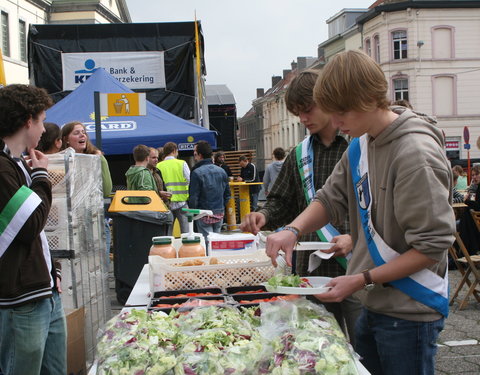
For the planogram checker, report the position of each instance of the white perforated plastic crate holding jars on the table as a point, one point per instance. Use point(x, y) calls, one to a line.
point(232, 270)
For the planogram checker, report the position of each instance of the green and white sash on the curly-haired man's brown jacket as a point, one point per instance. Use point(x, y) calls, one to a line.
point(15, 214)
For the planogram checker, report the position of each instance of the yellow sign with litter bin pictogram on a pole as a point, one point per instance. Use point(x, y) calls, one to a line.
point(123, 104)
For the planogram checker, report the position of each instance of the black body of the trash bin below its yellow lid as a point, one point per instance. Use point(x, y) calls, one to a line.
point(132, 238)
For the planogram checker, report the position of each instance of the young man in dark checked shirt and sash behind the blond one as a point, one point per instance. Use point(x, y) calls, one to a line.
point(292, 192)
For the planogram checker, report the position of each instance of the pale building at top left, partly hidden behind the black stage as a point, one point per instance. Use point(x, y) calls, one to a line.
point(17, 16)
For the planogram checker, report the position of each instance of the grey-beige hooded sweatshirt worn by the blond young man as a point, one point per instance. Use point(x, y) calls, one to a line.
point(411, 180)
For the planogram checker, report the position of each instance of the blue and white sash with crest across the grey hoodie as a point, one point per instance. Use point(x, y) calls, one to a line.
point(423, 286)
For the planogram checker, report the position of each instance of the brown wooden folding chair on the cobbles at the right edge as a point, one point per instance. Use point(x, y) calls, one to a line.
point(467, 265)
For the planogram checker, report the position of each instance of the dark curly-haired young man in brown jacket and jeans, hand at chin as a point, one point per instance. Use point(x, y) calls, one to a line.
point(32, 321)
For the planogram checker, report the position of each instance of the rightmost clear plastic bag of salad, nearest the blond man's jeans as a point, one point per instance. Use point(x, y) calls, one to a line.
point(305, 338)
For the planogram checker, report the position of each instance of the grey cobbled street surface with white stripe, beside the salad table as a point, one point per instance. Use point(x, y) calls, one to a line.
point(459, 343)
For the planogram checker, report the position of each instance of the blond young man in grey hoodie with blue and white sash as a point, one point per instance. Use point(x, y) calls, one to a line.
point(401, 232)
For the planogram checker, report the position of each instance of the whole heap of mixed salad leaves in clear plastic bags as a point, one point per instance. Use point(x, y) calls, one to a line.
point(278, 338)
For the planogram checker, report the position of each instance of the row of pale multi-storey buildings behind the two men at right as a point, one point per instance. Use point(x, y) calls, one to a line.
point(430, 53)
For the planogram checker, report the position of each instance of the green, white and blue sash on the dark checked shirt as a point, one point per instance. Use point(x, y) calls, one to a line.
point(304, 157)
